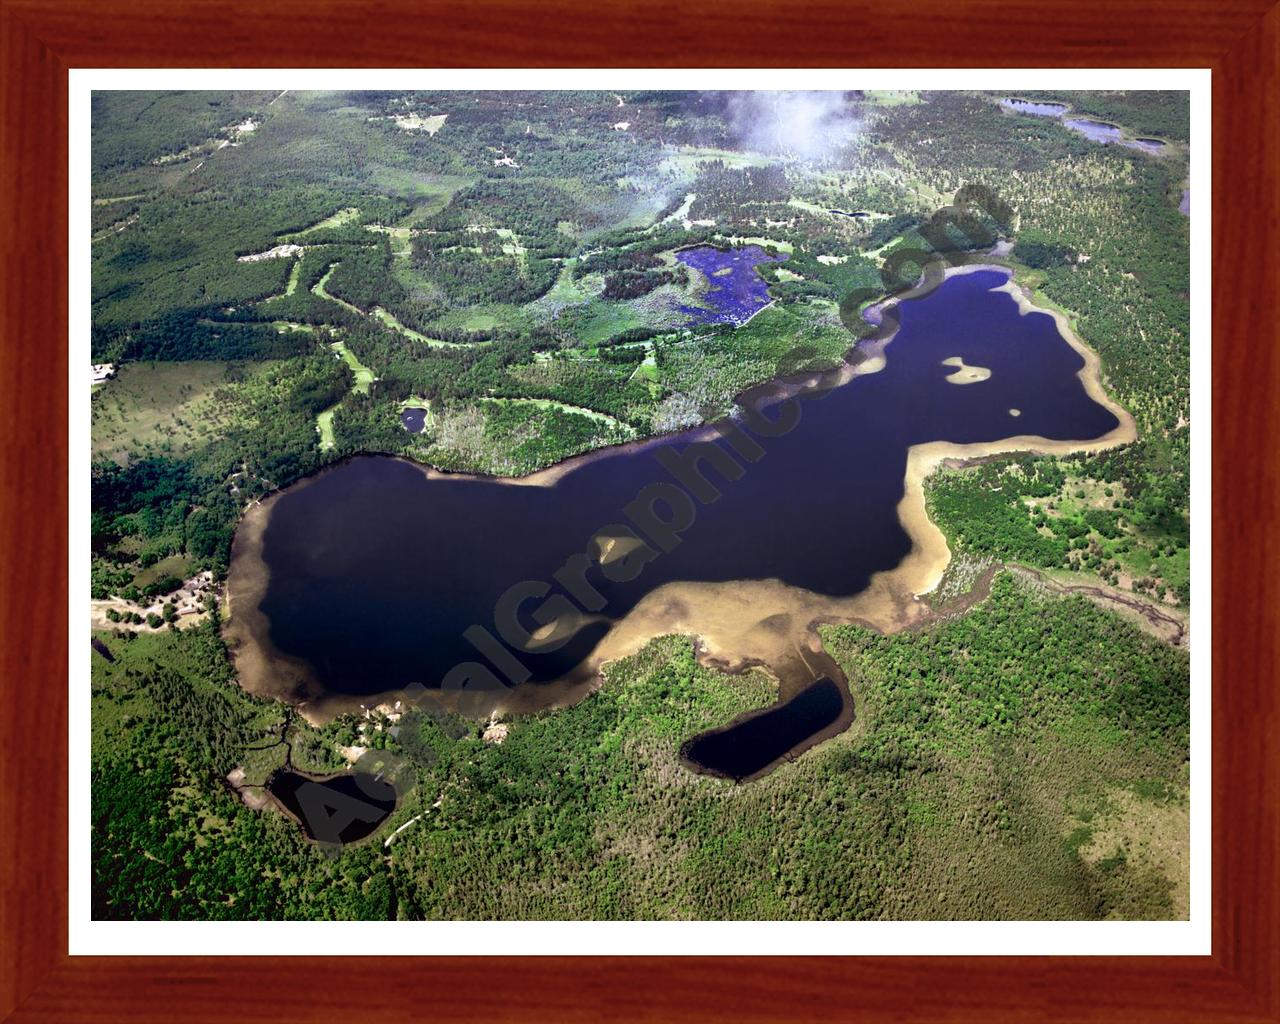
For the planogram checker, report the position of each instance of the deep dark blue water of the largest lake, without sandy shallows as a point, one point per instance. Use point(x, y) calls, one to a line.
point(377, 570)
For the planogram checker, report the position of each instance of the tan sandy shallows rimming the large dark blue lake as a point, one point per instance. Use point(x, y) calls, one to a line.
point(739, 624)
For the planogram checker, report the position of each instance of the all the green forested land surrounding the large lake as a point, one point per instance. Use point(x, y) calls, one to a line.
point(276, 276)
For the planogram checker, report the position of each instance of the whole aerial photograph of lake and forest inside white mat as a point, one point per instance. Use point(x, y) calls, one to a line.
point(641, 505)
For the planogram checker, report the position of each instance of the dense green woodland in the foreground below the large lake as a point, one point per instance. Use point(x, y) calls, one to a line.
point(986, 778)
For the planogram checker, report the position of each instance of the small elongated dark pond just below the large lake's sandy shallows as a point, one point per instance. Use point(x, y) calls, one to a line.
point(755, 744)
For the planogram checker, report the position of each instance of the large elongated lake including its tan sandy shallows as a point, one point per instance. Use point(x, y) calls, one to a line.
point(377, 574)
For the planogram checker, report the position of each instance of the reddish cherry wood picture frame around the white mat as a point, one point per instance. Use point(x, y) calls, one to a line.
point(42, 39)
